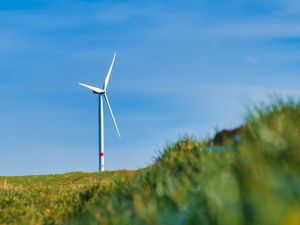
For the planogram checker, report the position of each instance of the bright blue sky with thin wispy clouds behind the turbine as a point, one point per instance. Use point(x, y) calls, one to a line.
point(183, 67)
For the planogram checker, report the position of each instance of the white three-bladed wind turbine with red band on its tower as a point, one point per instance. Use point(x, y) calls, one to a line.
point(102, 94)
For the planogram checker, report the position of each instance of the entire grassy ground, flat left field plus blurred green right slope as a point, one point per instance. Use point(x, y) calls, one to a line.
point(253, 181)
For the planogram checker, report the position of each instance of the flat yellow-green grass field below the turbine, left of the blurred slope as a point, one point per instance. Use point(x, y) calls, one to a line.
point(49, 199)
